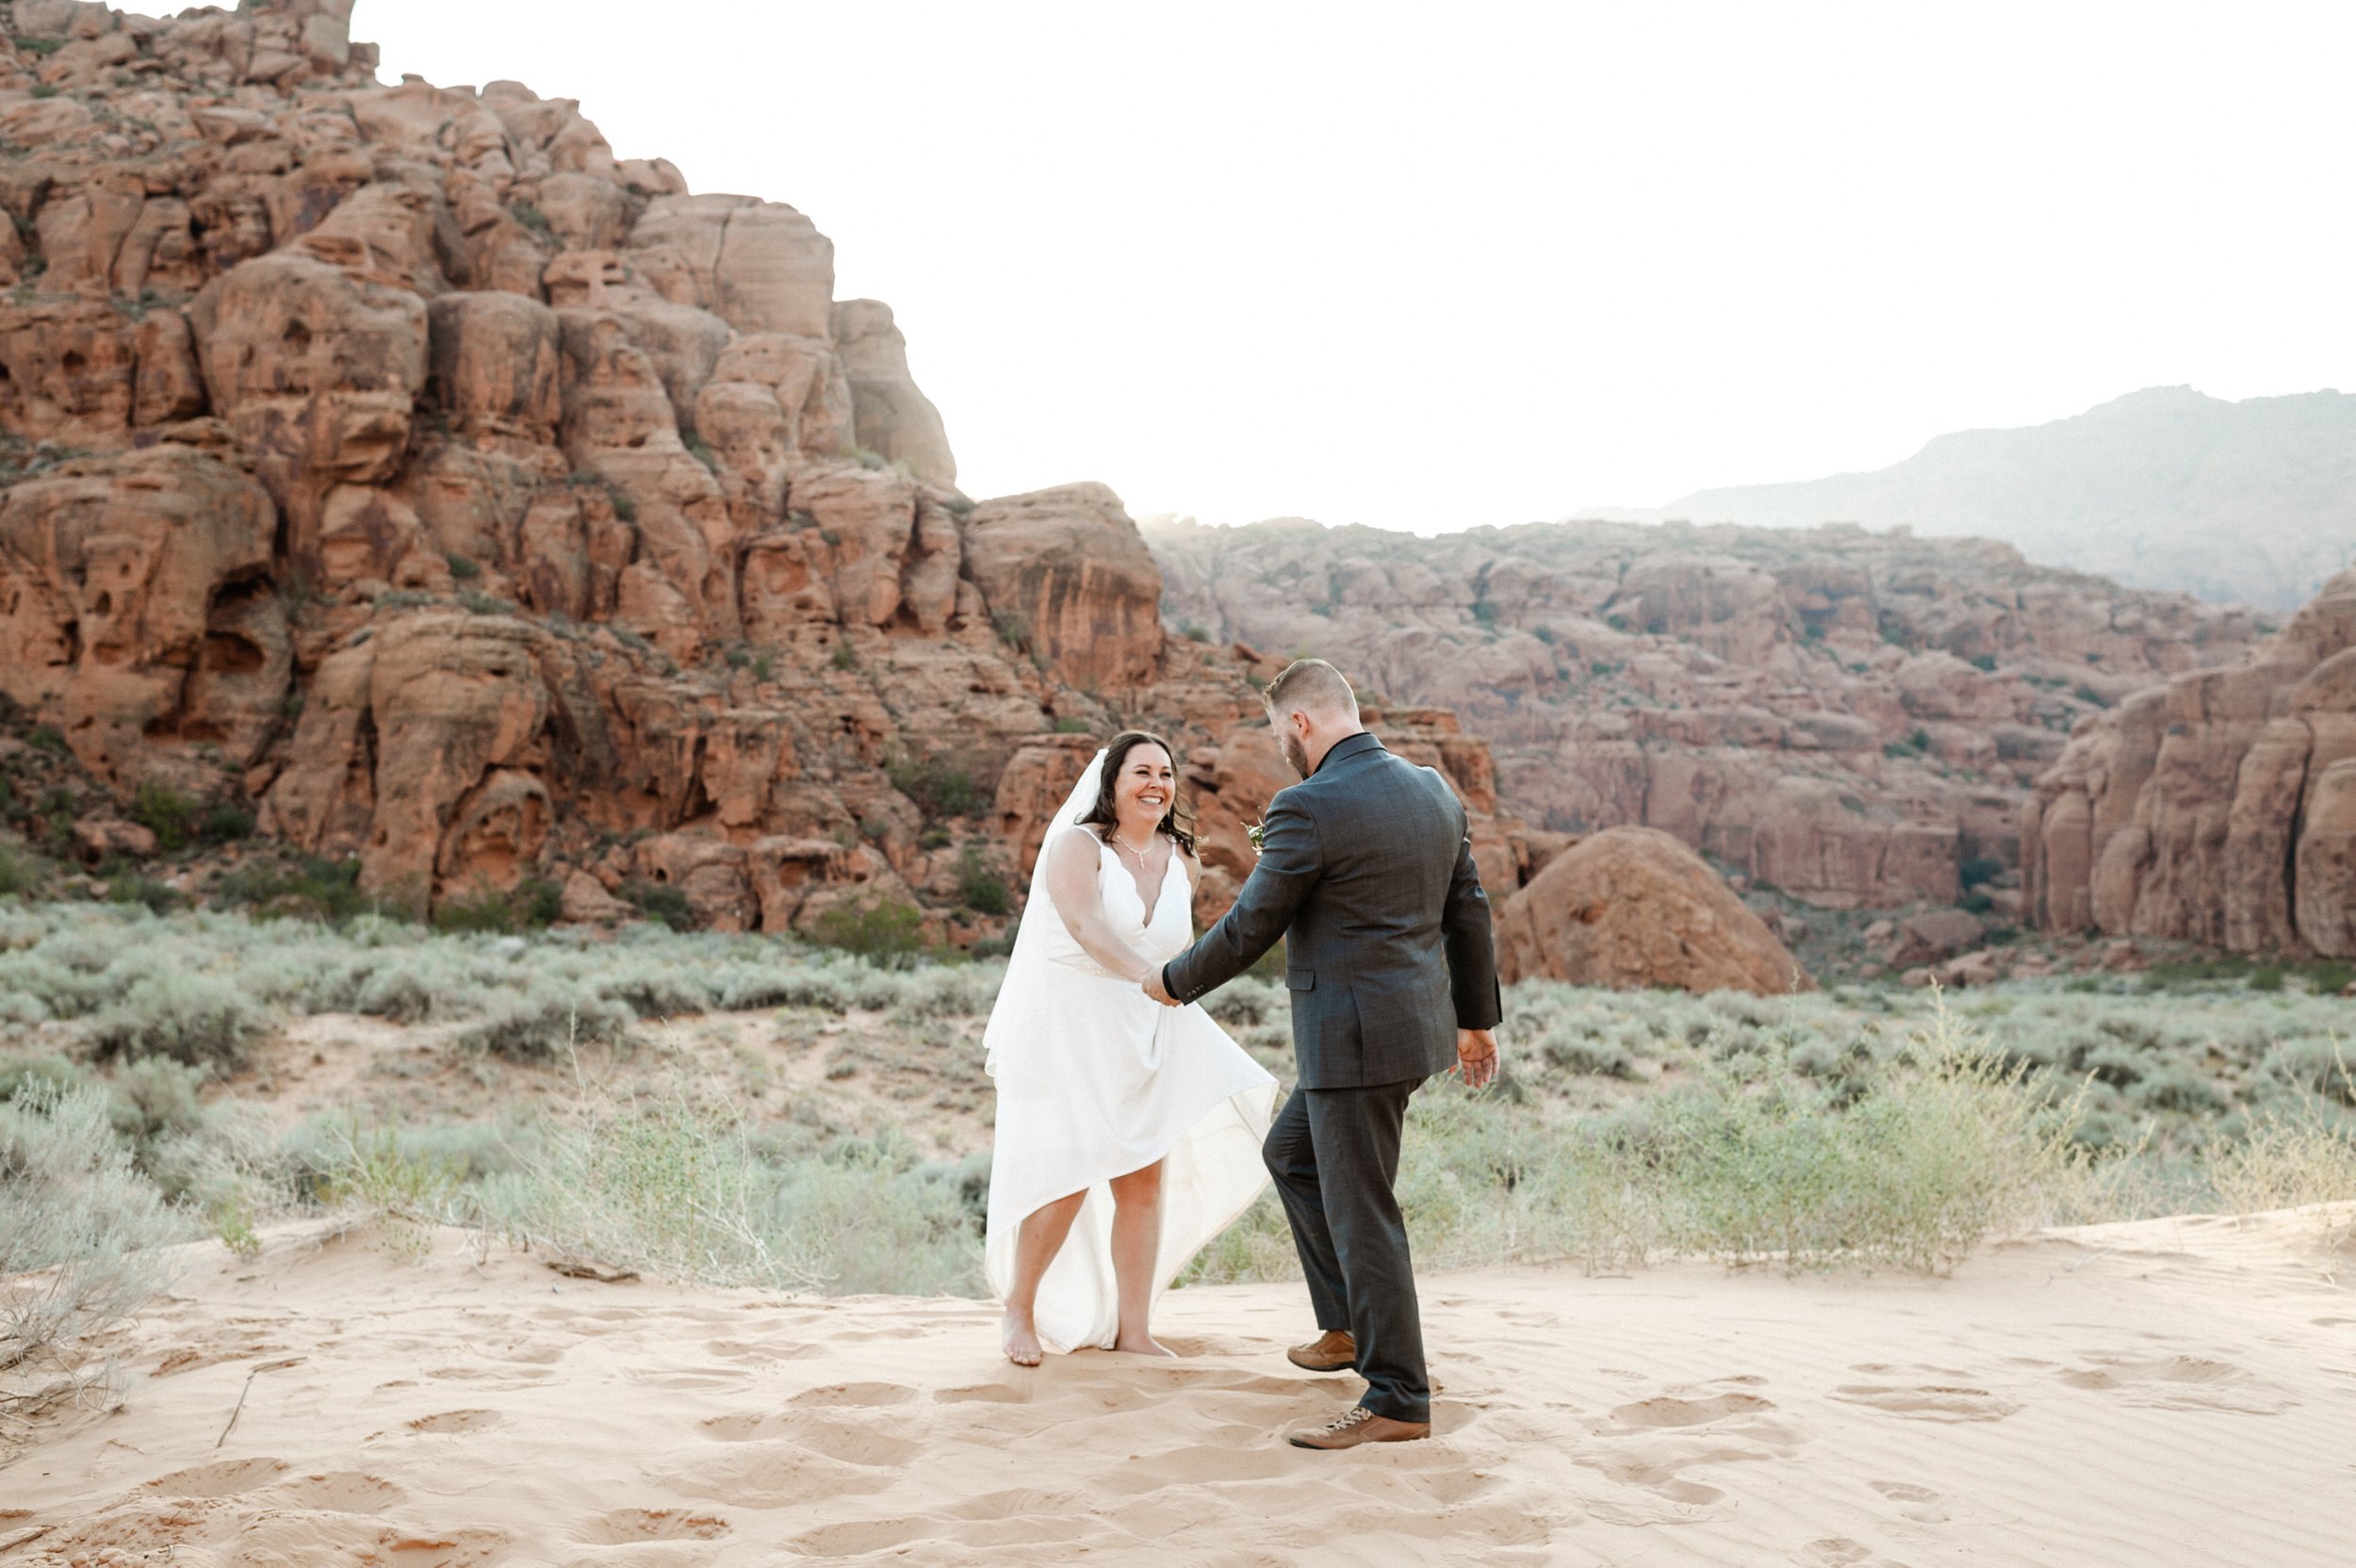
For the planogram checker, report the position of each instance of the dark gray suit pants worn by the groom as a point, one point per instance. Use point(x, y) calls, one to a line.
point(1337, 1157)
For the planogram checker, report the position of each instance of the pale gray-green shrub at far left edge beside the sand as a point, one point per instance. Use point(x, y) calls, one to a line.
point(74, 1209)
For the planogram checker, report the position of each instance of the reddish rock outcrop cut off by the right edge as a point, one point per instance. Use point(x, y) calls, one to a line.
point(2216, 809)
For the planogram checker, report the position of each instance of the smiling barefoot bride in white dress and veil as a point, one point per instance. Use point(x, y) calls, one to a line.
point(1130, 1134)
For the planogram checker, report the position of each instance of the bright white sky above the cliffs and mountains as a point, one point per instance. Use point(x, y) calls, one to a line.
point(1431, 267)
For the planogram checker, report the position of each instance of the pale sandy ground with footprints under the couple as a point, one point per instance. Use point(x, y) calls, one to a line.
point(2162, 1393)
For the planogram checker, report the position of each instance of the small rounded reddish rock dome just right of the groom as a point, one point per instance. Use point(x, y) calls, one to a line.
point(1636, 910)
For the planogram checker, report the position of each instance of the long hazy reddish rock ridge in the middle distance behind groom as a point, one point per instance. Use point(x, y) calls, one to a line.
point(1848, 717)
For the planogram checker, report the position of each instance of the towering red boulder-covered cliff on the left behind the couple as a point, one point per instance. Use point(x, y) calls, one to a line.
point(501, 512)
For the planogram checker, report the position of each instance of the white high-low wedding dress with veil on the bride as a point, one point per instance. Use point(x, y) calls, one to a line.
point(1097, 1079)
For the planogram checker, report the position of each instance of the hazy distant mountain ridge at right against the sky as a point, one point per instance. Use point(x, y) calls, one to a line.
point(2164, 489)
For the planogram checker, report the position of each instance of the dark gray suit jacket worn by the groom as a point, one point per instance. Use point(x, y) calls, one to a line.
point(1368, 872)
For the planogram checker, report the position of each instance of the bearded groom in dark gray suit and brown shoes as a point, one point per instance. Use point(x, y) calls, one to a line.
point(1368, 875)
